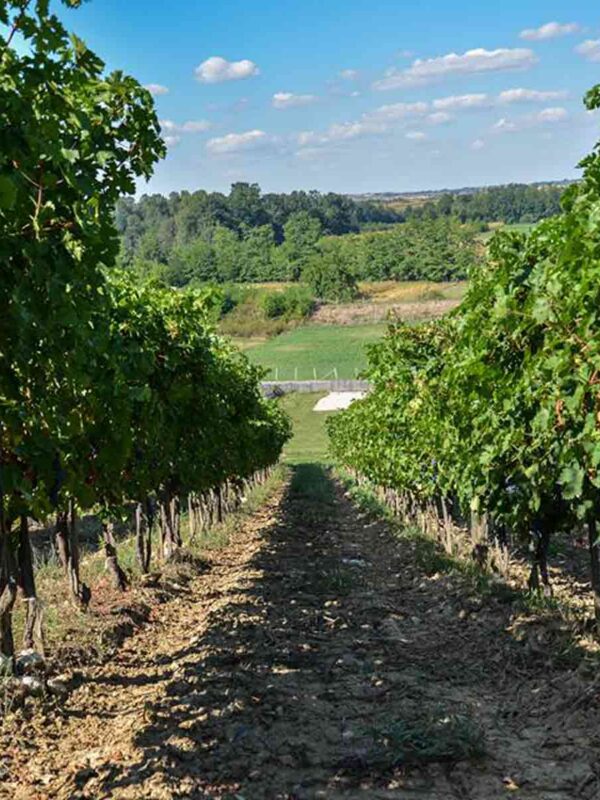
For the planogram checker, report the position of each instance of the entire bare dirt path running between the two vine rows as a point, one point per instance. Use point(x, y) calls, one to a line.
point(312, 655)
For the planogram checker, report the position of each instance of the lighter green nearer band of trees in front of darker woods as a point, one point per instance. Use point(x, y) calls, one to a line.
point(432, 249)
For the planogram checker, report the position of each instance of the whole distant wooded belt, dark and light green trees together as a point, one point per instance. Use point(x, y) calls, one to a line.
point(249, 237)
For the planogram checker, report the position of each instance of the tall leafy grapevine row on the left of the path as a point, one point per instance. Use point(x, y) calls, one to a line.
point(112, 392)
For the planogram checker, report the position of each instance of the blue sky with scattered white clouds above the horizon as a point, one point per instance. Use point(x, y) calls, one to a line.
point(360, 95)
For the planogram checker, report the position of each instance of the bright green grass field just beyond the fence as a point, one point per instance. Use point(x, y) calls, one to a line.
point(317, 351)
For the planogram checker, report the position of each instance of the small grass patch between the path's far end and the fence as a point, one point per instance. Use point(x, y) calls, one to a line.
point(310, 441)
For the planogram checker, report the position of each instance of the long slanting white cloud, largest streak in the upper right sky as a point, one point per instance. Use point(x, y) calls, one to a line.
point(473, 61)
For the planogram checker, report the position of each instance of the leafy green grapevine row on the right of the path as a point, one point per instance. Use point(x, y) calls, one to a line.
point(493, 414)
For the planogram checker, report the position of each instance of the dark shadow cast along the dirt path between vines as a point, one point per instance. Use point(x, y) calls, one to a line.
point(321, 644)
